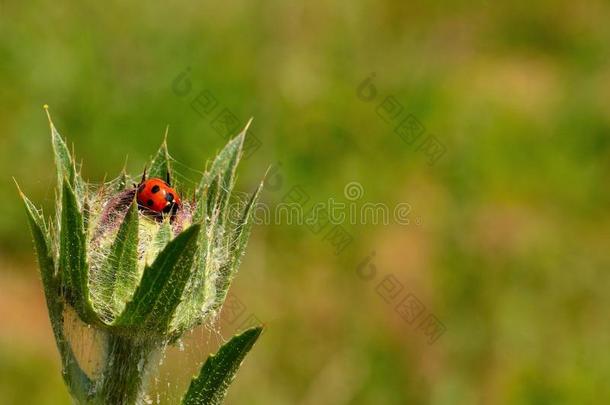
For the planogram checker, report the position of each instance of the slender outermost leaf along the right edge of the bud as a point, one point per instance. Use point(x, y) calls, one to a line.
point(238, 241)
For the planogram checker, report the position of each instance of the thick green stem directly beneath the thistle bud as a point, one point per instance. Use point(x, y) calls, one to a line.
point(124, 377)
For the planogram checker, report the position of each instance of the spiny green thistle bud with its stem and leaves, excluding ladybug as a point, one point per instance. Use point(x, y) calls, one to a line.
point(141, 281)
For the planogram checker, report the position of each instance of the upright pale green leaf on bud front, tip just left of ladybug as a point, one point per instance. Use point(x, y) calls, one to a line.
point(120, 269)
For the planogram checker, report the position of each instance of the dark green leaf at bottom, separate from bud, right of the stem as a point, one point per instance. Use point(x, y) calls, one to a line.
point(210, 387)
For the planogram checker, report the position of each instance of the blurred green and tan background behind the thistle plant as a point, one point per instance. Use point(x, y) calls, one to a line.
point(509, 240)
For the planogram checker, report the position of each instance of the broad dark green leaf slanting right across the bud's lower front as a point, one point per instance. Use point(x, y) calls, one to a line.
point(160, 290)
